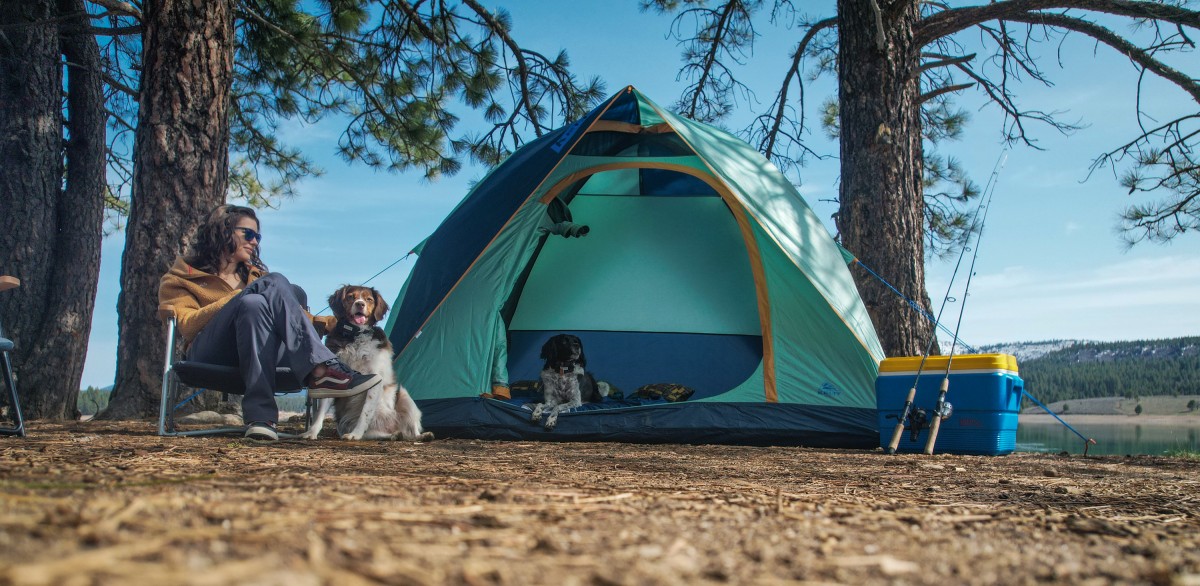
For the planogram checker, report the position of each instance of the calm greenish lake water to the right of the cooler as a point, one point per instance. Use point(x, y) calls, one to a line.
point(1112, 439)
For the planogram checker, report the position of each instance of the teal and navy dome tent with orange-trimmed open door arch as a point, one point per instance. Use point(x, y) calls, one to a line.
point(701, 267)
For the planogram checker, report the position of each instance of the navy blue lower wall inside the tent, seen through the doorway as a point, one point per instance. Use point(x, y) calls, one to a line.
point(709, 363)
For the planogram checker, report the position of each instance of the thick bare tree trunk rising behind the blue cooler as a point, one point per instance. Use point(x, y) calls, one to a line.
point(883, 207)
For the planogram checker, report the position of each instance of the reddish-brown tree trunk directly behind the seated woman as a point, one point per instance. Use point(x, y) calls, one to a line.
point(181, 172)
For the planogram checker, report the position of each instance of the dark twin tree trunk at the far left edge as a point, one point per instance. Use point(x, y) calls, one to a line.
point(50, 235)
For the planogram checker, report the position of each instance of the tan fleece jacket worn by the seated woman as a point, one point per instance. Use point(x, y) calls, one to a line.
point(199, 296)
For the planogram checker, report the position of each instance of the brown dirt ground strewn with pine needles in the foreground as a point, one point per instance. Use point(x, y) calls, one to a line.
point(115, 504)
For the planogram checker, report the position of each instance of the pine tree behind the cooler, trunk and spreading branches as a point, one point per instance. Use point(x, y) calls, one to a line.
point(898, 65)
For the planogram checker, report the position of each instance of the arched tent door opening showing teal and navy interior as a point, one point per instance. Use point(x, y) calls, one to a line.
point(659, 291)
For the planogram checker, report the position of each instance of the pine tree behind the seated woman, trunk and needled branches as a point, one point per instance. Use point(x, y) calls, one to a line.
point(235, 69)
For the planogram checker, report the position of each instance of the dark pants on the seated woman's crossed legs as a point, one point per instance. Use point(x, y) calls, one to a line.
point(262, 328)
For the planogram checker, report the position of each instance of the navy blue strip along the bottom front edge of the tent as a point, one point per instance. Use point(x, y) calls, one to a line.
point(740, 424)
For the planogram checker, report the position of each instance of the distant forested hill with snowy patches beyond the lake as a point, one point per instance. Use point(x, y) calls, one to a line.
point(1060, 370)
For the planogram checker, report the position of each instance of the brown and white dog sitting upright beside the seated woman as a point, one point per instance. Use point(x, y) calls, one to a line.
point(386, 412)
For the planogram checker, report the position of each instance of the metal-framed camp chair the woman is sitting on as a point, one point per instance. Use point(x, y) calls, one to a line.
point(203, 376)
